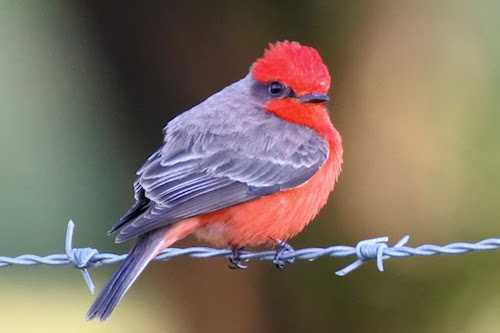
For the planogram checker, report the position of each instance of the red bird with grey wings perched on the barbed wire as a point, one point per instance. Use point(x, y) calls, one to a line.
point(251, 165)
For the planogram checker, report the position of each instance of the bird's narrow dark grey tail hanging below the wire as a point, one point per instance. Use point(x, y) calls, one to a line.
point(142, 253)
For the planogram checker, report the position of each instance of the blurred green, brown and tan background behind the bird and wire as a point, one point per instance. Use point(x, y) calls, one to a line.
point(86, 87)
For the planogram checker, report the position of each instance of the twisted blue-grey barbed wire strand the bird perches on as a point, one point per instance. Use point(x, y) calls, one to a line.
point(366, 250)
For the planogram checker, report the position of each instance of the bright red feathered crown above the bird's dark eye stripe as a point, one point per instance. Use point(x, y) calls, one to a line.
point(299, 67)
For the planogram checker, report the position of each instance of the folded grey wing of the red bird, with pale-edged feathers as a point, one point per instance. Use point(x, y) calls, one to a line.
point(207, 164)
